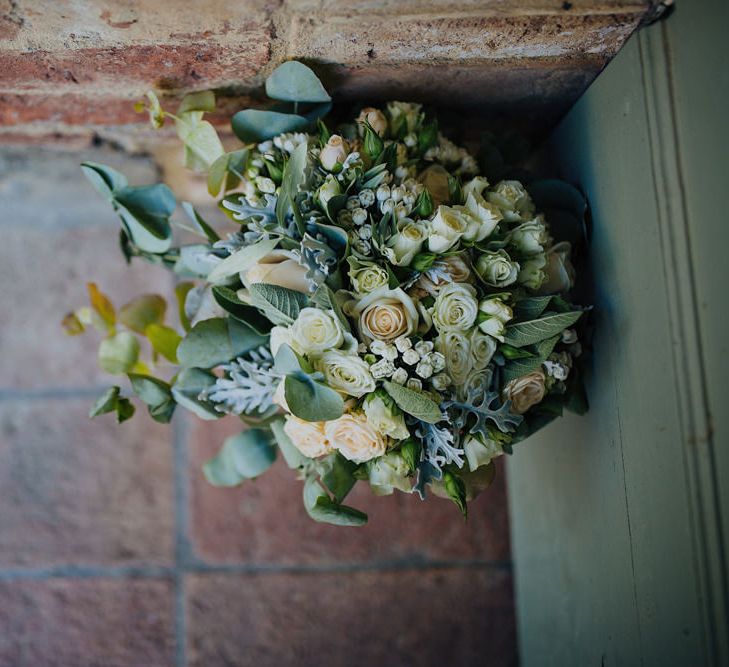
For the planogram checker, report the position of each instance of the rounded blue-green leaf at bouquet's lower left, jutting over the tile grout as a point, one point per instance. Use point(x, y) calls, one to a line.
point(243, 456)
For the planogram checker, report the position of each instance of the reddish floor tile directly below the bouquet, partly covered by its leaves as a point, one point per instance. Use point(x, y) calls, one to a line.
point(264, 521)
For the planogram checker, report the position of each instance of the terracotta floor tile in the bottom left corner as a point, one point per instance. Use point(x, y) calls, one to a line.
point(69, 623)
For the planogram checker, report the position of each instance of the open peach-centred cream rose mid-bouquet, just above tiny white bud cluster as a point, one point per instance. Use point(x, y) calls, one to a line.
point(384, 314)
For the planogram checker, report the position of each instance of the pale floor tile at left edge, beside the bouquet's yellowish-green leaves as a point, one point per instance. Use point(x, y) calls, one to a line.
point(55, 239)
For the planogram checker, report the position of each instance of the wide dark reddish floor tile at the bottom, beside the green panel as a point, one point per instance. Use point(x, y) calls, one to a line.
point(448, 617)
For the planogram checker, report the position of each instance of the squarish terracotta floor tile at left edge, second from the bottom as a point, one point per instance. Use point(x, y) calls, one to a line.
point(75, 491)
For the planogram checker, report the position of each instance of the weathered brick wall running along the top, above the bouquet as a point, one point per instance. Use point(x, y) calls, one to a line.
point(61, 68)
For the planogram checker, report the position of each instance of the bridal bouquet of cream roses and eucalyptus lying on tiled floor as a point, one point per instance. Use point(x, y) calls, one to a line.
point(381, 313)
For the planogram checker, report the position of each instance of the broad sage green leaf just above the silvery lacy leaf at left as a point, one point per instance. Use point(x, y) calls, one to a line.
point(216, 341)
